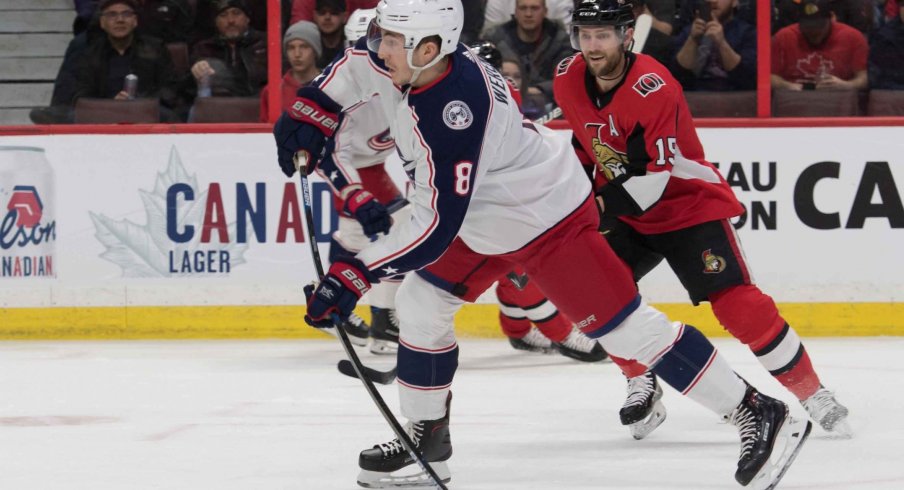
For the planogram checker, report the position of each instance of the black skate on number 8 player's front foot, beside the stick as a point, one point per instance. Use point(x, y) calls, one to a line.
point(430, 437)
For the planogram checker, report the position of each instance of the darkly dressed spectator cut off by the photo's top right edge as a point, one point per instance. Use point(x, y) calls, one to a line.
point(886, 54)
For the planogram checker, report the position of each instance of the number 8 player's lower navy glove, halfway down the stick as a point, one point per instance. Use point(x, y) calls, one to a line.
point(338, 293)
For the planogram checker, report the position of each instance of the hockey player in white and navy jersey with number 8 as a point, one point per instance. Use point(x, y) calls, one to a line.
point(492, 191)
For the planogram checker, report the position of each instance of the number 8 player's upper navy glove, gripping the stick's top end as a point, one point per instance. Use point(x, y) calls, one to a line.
point(304, 127)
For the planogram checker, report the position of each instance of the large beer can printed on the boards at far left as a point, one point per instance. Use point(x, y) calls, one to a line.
point(27, 218)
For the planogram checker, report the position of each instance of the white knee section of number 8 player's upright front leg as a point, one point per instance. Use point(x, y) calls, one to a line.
point(425, 314)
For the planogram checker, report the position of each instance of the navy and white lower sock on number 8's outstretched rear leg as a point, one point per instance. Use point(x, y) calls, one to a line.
point(695, 368)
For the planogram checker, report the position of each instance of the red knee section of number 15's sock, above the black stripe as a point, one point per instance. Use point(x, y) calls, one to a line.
point(748, 314)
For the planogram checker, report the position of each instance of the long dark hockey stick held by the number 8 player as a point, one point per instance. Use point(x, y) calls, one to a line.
point(301, 164)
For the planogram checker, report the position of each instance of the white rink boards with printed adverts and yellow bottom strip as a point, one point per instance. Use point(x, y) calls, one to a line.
point(199, 236)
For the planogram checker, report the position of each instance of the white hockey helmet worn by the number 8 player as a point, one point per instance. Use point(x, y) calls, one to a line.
point(416, 20)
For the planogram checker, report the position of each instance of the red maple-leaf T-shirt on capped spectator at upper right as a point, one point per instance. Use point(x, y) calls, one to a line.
point(843, 54)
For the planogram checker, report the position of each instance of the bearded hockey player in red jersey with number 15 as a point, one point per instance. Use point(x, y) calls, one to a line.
point(660, 198)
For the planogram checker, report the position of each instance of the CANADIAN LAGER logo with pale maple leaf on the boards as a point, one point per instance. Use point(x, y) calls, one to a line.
point(190, 230)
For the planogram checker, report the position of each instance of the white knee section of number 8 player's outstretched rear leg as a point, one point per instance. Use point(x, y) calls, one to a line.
point(643, 337)
